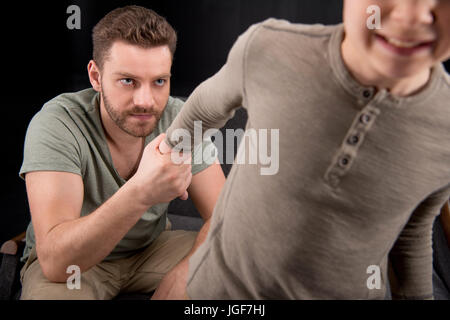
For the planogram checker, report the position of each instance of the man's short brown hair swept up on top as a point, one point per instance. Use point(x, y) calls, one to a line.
point(134, 25)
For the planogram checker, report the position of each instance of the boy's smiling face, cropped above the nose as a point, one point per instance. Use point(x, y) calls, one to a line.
point(414, 35)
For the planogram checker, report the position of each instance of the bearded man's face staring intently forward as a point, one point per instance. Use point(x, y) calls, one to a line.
point(135, 86)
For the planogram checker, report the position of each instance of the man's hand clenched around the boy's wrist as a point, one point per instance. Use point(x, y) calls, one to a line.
point(159, 178)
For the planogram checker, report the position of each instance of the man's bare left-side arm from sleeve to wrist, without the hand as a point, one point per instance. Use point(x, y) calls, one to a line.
point(63, 238)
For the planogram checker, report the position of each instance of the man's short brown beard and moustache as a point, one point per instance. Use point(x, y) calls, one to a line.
point(120, 119)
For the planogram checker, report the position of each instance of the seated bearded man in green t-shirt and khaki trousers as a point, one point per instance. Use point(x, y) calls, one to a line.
point(98, 187)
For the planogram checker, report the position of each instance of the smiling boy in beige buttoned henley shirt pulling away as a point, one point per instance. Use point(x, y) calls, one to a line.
point(364, 122)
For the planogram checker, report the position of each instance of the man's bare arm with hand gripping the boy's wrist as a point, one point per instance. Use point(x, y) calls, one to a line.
point(63, 238)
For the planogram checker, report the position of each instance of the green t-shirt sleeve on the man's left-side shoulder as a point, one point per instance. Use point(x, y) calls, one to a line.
point(50, 144)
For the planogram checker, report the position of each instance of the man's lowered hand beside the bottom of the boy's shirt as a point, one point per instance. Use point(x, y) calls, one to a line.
point(173, 285)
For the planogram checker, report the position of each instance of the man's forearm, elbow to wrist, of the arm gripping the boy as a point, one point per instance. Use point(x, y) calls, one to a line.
point(88, 240)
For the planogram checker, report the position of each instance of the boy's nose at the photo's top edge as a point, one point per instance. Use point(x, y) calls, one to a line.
point(412, 13)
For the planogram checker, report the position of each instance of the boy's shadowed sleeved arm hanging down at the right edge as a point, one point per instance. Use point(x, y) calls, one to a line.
point(411, 256)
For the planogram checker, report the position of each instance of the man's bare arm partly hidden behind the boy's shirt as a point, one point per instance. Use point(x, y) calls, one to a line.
point(204, 192)
